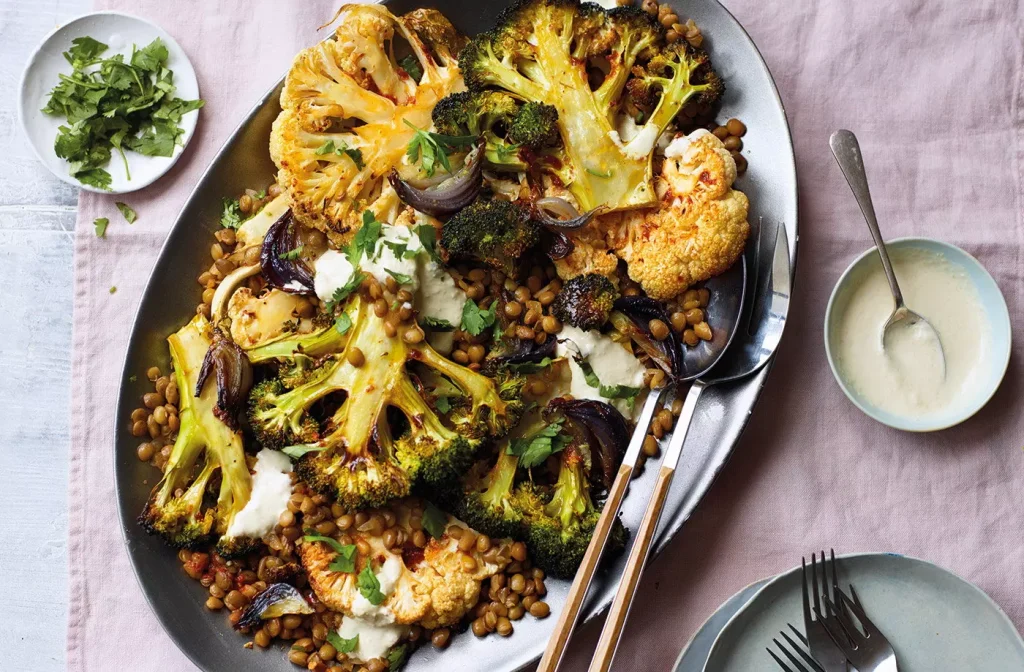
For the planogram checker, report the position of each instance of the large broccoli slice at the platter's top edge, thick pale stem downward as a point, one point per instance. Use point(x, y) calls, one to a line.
point(540, 52)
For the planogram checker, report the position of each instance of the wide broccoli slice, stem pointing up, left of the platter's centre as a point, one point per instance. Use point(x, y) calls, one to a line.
point(386, 438)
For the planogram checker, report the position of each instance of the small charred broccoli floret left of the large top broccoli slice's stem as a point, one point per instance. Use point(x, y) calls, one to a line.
point(510, 130)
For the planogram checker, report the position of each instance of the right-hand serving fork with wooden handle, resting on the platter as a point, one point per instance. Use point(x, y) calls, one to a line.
point(755, 344)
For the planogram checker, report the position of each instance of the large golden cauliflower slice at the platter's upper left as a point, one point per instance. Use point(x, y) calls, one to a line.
point(347, 110)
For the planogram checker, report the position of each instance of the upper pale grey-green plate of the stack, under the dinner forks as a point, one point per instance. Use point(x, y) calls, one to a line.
point(933, 619)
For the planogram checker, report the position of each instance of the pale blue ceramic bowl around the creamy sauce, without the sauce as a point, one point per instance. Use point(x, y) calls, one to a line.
point(993, 304)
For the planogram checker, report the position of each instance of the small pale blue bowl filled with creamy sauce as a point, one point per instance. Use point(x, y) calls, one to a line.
point(908, 390)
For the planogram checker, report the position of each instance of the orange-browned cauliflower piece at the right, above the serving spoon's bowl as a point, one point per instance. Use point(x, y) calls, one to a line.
point(701, 228)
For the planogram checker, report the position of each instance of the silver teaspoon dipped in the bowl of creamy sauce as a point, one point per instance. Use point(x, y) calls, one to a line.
point(906, 329)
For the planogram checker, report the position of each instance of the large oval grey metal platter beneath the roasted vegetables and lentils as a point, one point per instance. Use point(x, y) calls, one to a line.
point(168, 302)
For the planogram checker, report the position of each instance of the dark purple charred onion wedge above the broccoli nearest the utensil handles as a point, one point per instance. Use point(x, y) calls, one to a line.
point(610, 430)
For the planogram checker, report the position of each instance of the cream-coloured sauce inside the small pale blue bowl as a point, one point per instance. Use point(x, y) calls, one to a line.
point(907, 377)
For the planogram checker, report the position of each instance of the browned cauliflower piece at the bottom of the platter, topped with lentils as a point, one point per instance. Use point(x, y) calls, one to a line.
point(434, 590)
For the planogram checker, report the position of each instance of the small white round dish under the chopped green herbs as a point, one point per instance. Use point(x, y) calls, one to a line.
point(119, 32)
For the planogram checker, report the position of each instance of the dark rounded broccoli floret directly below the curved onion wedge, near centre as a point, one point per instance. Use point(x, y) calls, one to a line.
point(495, 232)
